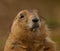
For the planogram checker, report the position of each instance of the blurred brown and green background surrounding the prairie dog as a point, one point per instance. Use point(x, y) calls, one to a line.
point(50, 9)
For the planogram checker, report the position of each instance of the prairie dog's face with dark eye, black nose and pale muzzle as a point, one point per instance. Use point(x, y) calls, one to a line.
point(29, 19)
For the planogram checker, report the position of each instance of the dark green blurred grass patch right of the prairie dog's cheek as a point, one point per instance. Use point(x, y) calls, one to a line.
point(53, 23)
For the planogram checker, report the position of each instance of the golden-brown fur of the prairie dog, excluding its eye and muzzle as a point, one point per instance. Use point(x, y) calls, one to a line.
point(22, 39)
